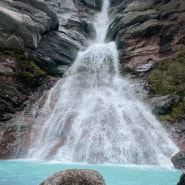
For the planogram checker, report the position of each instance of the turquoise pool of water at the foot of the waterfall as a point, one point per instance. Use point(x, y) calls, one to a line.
point(19, 172)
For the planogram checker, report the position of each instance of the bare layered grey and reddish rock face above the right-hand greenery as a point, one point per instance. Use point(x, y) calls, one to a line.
point(147, 32)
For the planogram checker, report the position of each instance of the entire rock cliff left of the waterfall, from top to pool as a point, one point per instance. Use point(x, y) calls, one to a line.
point(49, 43)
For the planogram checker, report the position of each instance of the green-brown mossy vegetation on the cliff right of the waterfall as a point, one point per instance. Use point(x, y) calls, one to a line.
point(169, 78)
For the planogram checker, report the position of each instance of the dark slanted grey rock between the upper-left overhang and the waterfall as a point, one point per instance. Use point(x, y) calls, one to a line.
point(74, 31)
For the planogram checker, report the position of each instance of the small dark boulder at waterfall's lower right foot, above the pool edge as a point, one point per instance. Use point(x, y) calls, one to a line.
point(178, 160)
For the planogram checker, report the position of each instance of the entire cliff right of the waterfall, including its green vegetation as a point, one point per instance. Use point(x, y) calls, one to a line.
point(150, 39)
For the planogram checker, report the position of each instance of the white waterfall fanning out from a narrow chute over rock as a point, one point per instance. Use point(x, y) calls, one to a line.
point(92, 115)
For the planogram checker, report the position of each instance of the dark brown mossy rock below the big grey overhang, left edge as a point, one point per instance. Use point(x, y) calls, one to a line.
point(19, 77)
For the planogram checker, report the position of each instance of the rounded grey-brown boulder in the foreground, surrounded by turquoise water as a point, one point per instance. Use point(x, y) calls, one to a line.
point(76, 177)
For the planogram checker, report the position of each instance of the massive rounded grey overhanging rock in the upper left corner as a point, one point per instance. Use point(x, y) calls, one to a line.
point(23, 23)
